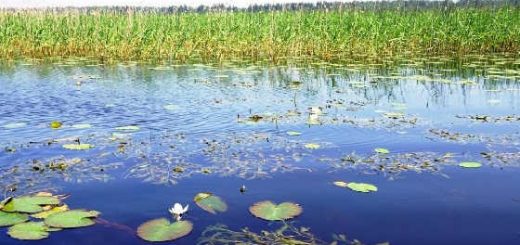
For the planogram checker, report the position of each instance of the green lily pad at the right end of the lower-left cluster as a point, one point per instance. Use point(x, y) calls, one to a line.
point(72, 219)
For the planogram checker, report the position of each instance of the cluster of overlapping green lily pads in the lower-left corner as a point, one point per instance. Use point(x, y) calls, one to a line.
point(36, 216)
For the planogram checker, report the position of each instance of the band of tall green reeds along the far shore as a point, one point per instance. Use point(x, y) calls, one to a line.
point(327, 32)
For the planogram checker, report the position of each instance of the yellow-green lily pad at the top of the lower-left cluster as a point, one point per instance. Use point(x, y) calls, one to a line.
point(29, 204)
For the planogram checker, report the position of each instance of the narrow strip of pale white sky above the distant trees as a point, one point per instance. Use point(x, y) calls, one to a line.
point(151, 3)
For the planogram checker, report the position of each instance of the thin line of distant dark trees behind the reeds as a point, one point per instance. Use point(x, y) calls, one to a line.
point(365, 6)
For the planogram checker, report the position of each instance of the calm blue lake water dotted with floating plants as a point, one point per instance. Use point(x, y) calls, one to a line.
point(209, 128)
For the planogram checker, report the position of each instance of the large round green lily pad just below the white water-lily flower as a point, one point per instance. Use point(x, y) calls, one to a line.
point(161, 230)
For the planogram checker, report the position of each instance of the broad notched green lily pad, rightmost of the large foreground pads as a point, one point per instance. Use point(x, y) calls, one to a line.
point(270, 211)
